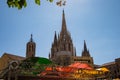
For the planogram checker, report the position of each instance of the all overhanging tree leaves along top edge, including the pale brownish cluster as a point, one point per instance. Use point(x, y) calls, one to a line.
point(23, 3)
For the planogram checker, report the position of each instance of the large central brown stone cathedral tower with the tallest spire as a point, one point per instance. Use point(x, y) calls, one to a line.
point(62, 45)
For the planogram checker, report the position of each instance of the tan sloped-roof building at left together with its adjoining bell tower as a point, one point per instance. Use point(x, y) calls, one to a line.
point(6, 58)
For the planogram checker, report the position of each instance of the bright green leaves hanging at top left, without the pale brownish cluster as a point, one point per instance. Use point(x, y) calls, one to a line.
point(21, 3)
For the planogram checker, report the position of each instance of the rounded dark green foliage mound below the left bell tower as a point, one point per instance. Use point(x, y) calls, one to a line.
point(34, 65)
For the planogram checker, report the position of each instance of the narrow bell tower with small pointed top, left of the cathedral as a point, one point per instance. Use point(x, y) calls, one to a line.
point(30, 48)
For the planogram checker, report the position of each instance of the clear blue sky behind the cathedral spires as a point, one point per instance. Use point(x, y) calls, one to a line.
point(96, 21)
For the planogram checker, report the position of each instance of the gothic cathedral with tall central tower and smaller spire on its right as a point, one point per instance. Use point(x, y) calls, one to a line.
point(63, 51)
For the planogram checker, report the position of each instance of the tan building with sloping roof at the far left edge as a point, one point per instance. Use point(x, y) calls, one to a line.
point(6, 61)
